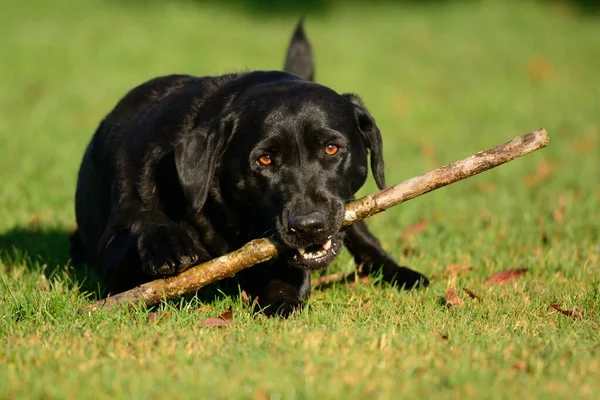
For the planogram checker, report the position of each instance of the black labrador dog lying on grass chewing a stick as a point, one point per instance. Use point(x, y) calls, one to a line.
point(185, 169)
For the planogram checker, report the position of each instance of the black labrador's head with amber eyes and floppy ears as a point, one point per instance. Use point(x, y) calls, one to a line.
point(289, 155)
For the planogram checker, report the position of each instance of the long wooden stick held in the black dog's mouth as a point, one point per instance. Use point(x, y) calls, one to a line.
point(261, 250)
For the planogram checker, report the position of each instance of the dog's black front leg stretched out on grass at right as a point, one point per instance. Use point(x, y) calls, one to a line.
point(368, 252)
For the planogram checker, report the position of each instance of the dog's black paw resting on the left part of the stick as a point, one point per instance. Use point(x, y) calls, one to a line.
point(167, 249)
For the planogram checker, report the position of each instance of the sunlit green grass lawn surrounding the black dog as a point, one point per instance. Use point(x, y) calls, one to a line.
point(443, 81)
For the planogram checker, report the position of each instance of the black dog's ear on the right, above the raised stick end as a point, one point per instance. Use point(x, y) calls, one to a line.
point(371, 137)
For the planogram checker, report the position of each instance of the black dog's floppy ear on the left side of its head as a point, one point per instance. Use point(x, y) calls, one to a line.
point(197, 155)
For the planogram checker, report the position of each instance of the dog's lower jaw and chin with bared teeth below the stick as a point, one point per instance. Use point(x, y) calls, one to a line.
point(316, 256)
